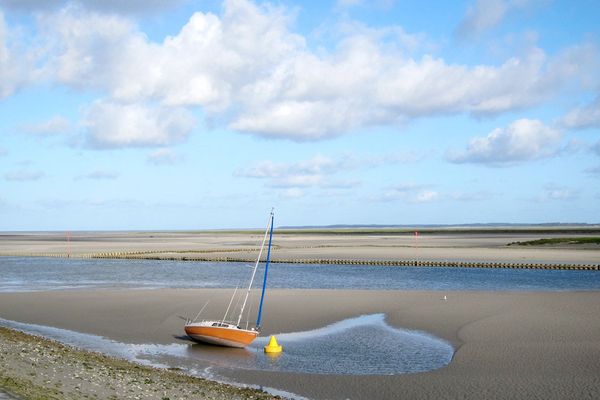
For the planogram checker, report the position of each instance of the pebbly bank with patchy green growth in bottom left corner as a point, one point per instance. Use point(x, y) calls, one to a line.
point(36, 368)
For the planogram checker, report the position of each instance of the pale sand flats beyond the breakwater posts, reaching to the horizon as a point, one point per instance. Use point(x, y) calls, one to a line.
point(465, 247)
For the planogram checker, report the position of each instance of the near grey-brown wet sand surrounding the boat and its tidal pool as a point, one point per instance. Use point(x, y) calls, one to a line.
point(508, 344)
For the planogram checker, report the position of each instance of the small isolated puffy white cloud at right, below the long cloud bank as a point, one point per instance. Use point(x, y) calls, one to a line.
point(522, 140)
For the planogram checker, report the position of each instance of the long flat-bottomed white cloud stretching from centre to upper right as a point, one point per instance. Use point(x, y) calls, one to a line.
point(312, 97)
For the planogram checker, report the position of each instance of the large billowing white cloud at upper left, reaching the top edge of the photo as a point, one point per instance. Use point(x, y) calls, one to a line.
point(205, 64)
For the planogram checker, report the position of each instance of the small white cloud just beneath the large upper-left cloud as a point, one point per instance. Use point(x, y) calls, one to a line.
point(110, 125)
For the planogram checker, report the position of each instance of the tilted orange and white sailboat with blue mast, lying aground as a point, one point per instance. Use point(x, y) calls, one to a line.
point(230, 333)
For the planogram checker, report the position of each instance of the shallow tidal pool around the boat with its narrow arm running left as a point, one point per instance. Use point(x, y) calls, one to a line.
point(365, 345)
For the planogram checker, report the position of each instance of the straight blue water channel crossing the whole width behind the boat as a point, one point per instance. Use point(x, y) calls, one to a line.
point(37, 274)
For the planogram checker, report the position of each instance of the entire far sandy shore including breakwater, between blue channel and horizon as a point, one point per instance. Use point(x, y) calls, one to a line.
point(491, 248)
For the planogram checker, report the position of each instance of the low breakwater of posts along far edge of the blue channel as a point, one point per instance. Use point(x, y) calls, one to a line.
point(211, 256)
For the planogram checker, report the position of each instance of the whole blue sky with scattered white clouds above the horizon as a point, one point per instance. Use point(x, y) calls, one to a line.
point(189, 114)
